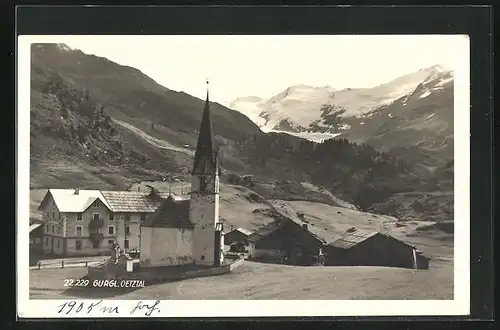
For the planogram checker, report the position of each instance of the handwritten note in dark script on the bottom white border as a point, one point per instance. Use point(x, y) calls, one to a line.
point(99, 308)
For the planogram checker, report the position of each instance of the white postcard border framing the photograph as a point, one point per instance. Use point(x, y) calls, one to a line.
point(460, 305)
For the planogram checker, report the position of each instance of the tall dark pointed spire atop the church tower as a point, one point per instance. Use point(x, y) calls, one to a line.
point(204, 158)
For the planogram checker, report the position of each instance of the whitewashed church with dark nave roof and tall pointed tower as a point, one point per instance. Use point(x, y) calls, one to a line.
point(188, 231)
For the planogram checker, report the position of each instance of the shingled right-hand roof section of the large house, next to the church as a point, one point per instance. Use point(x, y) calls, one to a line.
point(131, 201)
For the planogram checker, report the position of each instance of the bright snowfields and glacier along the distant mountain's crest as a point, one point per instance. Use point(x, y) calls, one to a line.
point(301, 105)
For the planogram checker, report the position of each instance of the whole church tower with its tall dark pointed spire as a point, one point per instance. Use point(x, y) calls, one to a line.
point(204, 204)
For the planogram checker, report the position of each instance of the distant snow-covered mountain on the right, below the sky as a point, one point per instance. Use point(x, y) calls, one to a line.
point(319, 113)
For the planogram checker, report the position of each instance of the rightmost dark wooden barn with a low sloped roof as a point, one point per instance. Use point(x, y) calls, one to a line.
point(359, 247)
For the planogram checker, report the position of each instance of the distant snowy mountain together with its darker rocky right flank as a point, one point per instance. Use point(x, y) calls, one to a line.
point(411, 115)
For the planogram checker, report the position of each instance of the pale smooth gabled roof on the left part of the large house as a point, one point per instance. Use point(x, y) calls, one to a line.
point(67, 200)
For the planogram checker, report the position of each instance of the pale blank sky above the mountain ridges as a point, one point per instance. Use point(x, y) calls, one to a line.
point(263, 66)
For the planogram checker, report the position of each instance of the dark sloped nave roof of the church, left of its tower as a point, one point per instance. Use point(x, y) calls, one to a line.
point(172, 213)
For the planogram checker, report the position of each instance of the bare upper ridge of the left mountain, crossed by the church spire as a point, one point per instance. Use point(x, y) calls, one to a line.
point(129, 94)
